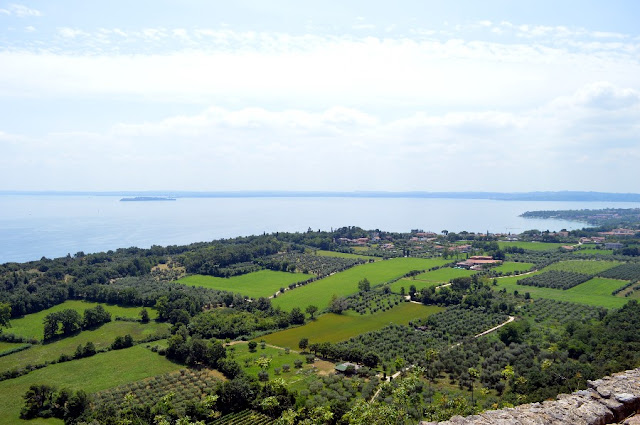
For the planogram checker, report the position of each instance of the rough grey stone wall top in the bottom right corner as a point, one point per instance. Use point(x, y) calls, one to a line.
point(608, 400)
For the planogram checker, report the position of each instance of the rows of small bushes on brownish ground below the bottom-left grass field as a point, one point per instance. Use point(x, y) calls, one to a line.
point(186, 385)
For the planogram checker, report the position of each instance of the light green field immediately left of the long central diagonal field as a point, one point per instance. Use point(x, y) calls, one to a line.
point(263, 283)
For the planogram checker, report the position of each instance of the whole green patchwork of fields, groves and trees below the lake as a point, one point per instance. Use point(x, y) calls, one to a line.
point(377, 329)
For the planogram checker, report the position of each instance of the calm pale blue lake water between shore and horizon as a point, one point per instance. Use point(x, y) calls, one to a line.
point(52, 226)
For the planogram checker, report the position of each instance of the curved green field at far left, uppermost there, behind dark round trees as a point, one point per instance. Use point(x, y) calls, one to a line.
point(31, 325)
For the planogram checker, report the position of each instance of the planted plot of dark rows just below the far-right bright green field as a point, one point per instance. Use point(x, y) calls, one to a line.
point(543, 310)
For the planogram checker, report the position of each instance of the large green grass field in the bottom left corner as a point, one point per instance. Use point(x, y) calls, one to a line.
point(92, 374)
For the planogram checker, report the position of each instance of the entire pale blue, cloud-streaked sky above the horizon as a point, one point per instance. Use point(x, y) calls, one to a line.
point(356, 95)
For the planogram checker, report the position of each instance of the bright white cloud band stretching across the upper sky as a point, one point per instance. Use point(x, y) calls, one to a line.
point(262, 68)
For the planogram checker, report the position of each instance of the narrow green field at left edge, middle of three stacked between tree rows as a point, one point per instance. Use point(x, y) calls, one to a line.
point(102, 337)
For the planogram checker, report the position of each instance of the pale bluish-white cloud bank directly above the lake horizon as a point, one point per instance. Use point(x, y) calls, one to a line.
point(258, 148)
